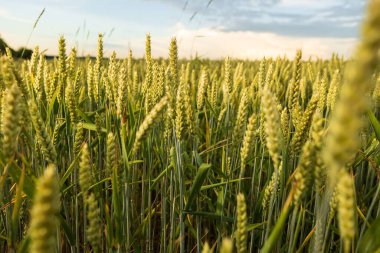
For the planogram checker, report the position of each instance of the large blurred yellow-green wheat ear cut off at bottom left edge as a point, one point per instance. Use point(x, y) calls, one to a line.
point(43, 226)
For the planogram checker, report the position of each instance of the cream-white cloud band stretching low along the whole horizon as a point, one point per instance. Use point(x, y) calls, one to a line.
point(213, 43)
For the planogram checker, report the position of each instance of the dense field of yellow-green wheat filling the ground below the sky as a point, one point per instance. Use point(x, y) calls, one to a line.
point(170, 155)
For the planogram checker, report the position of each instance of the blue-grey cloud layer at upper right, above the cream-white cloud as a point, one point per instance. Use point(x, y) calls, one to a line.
point(307, 18)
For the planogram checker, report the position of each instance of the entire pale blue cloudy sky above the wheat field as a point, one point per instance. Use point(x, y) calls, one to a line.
point(245, 29)
